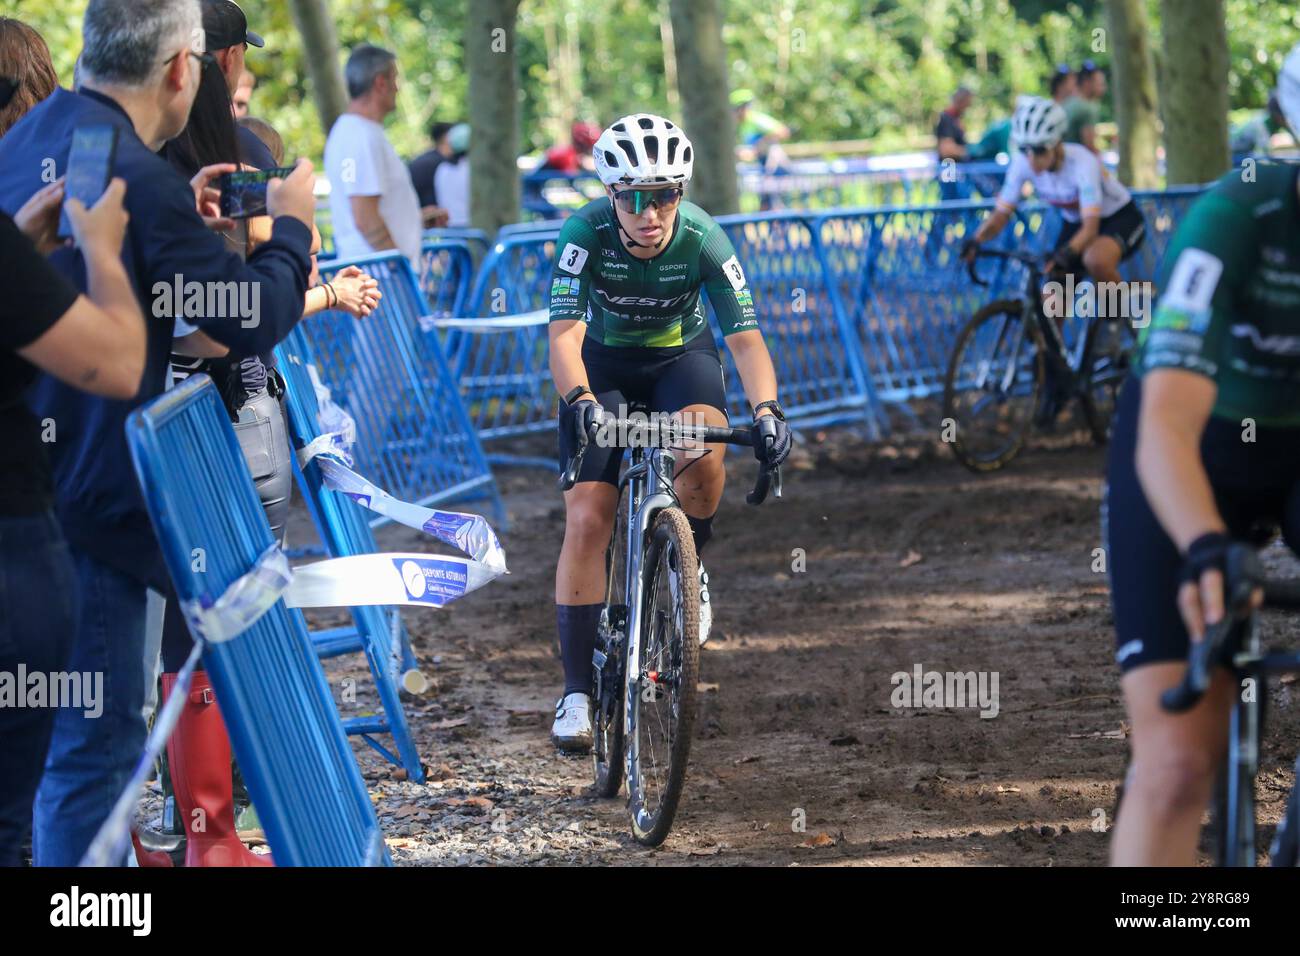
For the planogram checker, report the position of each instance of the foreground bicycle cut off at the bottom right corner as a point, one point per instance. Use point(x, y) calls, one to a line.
point(1234, 643)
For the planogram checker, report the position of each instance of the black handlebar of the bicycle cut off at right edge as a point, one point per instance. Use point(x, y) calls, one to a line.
point(1243, 576)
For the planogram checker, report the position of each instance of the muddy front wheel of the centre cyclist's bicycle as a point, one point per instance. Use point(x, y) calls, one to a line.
point(664, 704)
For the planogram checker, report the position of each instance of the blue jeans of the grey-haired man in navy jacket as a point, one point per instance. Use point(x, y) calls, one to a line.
point(92, 759)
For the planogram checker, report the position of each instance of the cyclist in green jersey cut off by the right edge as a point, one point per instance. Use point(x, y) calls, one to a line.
point(1206, 452)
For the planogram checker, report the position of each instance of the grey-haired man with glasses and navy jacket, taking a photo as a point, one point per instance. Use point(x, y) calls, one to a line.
point(140, 73)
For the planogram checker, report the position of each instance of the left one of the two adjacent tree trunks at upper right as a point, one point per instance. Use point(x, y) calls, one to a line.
point(1136, 93)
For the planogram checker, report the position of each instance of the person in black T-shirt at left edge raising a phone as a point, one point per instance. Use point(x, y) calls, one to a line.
point(93, 341)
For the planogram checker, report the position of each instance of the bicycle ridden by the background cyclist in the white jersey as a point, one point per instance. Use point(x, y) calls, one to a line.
point(1012, 369)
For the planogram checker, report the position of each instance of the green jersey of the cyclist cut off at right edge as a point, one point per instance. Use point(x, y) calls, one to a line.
point(1230, 302)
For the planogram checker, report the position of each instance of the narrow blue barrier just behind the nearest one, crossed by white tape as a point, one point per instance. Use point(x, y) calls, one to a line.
point(345, 529)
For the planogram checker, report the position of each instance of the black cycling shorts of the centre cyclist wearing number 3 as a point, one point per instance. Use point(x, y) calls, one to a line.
point(665, 380)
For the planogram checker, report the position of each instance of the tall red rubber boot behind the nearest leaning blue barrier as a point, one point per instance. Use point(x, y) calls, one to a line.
point(200, 758)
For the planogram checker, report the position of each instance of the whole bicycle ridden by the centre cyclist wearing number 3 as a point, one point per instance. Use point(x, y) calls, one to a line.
point(647, 661)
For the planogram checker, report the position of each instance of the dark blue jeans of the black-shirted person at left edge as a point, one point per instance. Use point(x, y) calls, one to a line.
point(38, 620)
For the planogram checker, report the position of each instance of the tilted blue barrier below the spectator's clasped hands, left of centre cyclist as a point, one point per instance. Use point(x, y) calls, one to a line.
point(414, 436)
